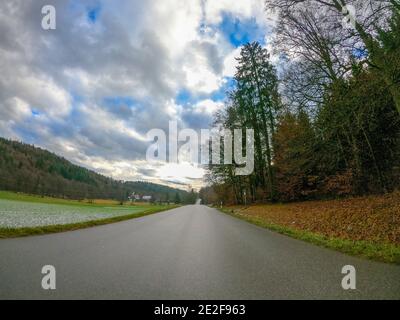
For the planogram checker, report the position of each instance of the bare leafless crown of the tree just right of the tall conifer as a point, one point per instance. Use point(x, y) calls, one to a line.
point(313, 59)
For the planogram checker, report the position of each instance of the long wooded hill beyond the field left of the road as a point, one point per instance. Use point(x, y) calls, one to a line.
point(29, 169)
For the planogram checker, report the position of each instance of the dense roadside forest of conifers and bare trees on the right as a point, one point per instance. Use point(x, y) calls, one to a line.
point(327, 118)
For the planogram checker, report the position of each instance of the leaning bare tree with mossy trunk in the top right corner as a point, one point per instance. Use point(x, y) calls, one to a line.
point(367, 27)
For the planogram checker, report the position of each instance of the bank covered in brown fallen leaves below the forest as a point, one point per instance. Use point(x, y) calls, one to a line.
point(372, 218)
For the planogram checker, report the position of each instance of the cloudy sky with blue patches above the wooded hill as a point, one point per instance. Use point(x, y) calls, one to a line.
point(113, 70)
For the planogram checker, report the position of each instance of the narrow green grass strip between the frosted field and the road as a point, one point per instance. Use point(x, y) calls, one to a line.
point(24, 232)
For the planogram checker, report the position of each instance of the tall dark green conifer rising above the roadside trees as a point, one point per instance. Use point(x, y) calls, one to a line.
point(258, 102)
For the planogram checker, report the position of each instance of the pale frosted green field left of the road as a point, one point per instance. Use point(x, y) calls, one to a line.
point(19, 214)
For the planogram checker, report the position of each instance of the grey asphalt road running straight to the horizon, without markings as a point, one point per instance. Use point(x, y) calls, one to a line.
point(192, 252)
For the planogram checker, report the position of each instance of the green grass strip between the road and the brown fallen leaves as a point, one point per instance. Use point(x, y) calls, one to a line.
point(383, 252)
